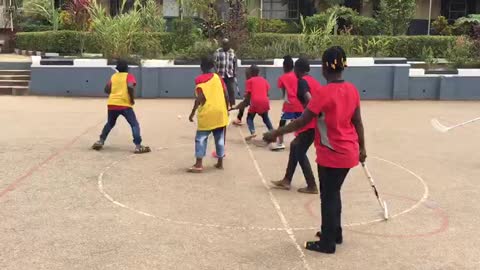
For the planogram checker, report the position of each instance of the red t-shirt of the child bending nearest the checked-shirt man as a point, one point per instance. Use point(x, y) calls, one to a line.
point(258, 89)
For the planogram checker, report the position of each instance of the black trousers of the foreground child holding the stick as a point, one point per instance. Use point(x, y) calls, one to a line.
point(331, 180)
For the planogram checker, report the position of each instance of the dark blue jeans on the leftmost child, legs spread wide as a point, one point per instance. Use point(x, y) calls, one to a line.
point(129, 114)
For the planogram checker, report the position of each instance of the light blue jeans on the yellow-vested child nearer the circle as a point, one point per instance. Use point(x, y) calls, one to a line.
point(201, 141)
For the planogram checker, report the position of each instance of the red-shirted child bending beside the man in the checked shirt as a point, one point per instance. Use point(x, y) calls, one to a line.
point(256, 95)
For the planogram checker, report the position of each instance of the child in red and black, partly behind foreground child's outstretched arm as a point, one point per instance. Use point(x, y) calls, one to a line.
point(307, 86)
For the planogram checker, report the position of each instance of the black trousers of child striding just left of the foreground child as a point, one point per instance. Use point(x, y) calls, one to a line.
point(298, 155)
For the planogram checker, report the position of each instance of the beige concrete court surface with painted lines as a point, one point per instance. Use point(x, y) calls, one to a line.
point(64, 206)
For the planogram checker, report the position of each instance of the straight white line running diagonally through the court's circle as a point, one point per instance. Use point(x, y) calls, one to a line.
point(276, 204)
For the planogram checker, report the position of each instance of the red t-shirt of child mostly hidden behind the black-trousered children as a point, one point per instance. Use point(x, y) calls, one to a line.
point(289, 81)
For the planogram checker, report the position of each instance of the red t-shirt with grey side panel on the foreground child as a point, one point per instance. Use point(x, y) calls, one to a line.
point(336, 139)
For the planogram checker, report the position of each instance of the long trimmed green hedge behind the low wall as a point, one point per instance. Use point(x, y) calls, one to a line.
point(262, 45)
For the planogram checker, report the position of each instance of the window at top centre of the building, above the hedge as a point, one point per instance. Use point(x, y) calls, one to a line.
point(280, 9)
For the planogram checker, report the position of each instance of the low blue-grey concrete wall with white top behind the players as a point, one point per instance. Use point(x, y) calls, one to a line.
point(165, 80)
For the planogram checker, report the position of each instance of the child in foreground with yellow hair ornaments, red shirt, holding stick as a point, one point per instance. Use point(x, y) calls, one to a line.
point(339, 142)
